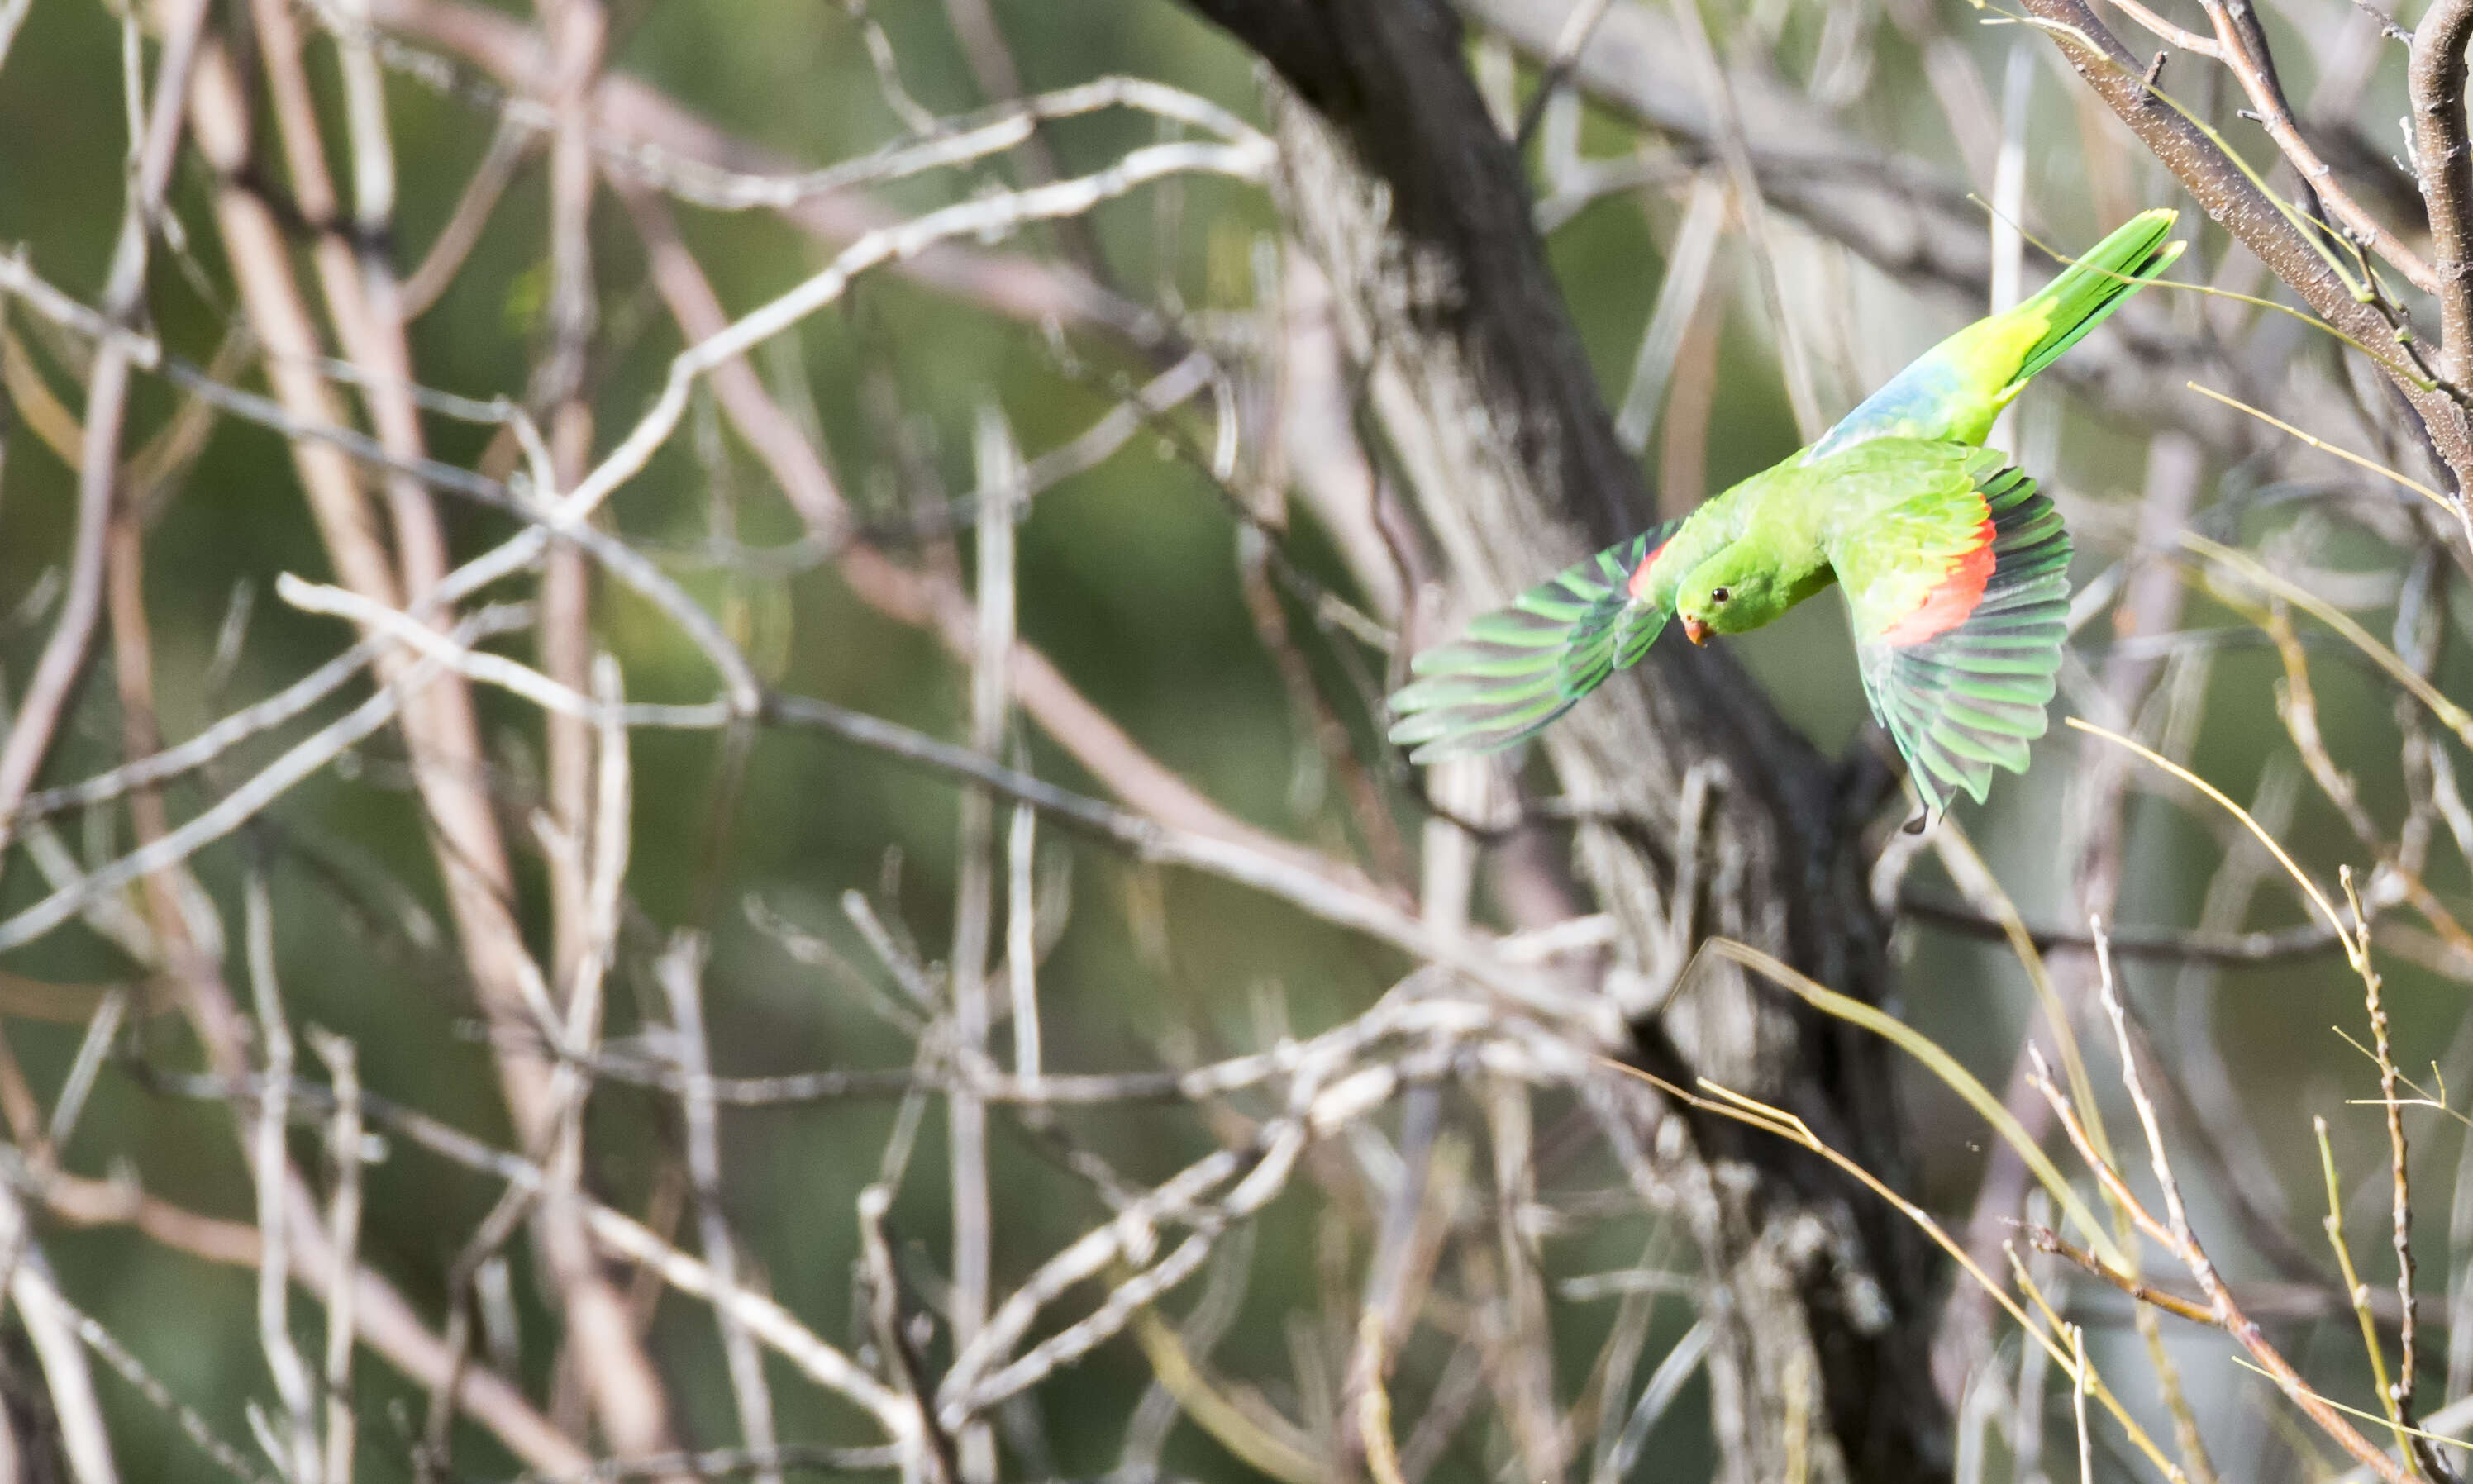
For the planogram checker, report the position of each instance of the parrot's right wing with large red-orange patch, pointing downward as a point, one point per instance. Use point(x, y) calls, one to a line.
point(1960, 600)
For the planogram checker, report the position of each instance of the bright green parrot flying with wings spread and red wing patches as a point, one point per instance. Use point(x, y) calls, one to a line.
point(1957, 573)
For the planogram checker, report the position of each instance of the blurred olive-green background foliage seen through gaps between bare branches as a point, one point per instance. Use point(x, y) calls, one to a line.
point(1131, 582)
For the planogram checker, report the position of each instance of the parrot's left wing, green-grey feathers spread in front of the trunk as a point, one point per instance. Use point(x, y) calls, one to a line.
point(1534, 659)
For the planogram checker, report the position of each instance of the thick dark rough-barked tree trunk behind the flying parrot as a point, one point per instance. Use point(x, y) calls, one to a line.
point(1418, 209)
